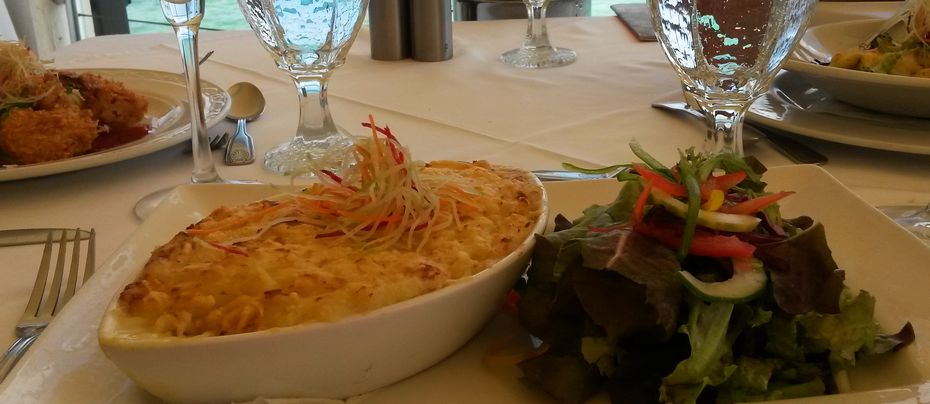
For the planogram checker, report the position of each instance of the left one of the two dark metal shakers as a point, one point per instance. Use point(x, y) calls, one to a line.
point(389, 25)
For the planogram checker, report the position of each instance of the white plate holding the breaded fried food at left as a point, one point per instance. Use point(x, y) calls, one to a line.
point(168, 110)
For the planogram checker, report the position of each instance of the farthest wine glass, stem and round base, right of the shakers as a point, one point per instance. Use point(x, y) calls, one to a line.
point(536, 51)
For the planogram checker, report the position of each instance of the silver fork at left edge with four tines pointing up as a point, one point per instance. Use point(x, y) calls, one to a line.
point(42, 307)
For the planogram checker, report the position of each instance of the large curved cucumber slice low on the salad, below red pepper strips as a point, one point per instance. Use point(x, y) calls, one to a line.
point(747, 283)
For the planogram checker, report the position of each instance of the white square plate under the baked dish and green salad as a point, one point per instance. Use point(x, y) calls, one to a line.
point(66, 364)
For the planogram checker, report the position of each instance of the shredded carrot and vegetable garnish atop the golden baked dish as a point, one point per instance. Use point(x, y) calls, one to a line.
point(377, 201)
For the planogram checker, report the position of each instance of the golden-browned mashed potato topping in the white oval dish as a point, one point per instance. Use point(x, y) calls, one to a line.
point(321, 255)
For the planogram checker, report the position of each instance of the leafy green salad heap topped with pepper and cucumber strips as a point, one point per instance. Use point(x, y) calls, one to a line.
point(691, 287)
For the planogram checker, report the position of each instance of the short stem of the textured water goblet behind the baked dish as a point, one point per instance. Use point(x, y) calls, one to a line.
point(316, 122)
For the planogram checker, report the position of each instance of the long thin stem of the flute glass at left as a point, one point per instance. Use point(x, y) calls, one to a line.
point(204, 170)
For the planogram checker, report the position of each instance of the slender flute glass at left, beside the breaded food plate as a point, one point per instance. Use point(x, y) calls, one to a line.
point(185, 17)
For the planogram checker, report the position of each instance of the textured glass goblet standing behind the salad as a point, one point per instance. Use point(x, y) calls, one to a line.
point(726, 53)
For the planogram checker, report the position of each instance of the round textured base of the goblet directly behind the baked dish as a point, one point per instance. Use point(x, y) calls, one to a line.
point(298, 155)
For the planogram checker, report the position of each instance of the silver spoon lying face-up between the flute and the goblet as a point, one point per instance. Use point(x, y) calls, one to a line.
point(248, 104)
